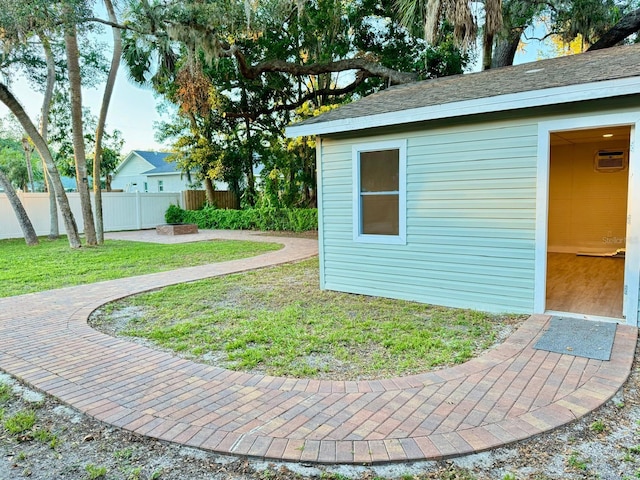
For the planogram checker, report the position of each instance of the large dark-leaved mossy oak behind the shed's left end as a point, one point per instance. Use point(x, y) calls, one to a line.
point(236, 105)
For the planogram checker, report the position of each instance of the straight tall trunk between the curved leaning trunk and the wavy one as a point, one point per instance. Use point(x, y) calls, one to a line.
point(77, 132)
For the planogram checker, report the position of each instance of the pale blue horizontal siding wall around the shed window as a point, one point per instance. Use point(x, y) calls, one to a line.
point(471, 202)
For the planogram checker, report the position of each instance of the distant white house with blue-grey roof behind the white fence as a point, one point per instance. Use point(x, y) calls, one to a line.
point(143, 171)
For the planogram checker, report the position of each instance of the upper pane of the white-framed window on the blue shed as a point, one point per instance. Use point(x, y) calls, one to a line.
point(379, 171)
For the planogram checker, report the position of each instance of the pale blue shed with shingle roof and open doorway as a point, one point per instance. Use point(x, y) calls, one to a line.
point(497, 190)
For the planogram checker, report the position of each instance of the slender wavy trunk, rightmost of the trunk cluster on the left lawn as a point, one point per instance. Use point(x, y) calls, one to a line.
point(106, 99)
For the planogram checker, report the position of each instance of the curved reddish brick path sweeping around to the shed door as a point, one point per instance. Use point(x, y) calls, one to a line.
point(508, 394)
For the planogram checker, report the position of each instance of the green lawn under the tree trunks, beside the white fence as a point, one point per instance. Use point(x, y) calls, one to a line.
point(52, 264)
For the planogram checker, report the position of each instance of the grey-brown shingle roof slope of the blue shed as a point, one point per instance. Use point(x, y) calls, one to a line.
point(597, 66)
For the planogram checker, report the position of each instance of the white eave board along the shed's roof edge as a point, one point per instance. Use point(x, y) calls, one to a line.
point(499, 103)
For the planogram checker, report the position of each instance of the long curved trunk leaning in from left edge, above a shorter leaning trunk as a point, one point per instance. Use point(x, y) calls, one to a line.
point(14, 106)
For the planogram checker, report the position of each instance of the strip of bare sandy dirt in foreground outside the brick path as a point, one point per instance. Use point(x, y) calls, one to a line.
point(603, 445)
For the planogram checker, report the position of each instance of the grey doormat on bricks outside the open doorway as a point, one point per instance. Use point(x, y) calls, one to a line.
point(582, 338)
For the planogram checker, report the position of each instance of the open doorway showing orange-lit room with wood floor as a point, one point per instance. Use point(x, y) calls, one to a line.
point(587, 221)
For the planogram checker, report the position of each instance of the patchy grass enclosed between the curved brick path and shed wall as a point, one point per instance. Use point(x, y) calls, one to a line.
point(277, 321)
